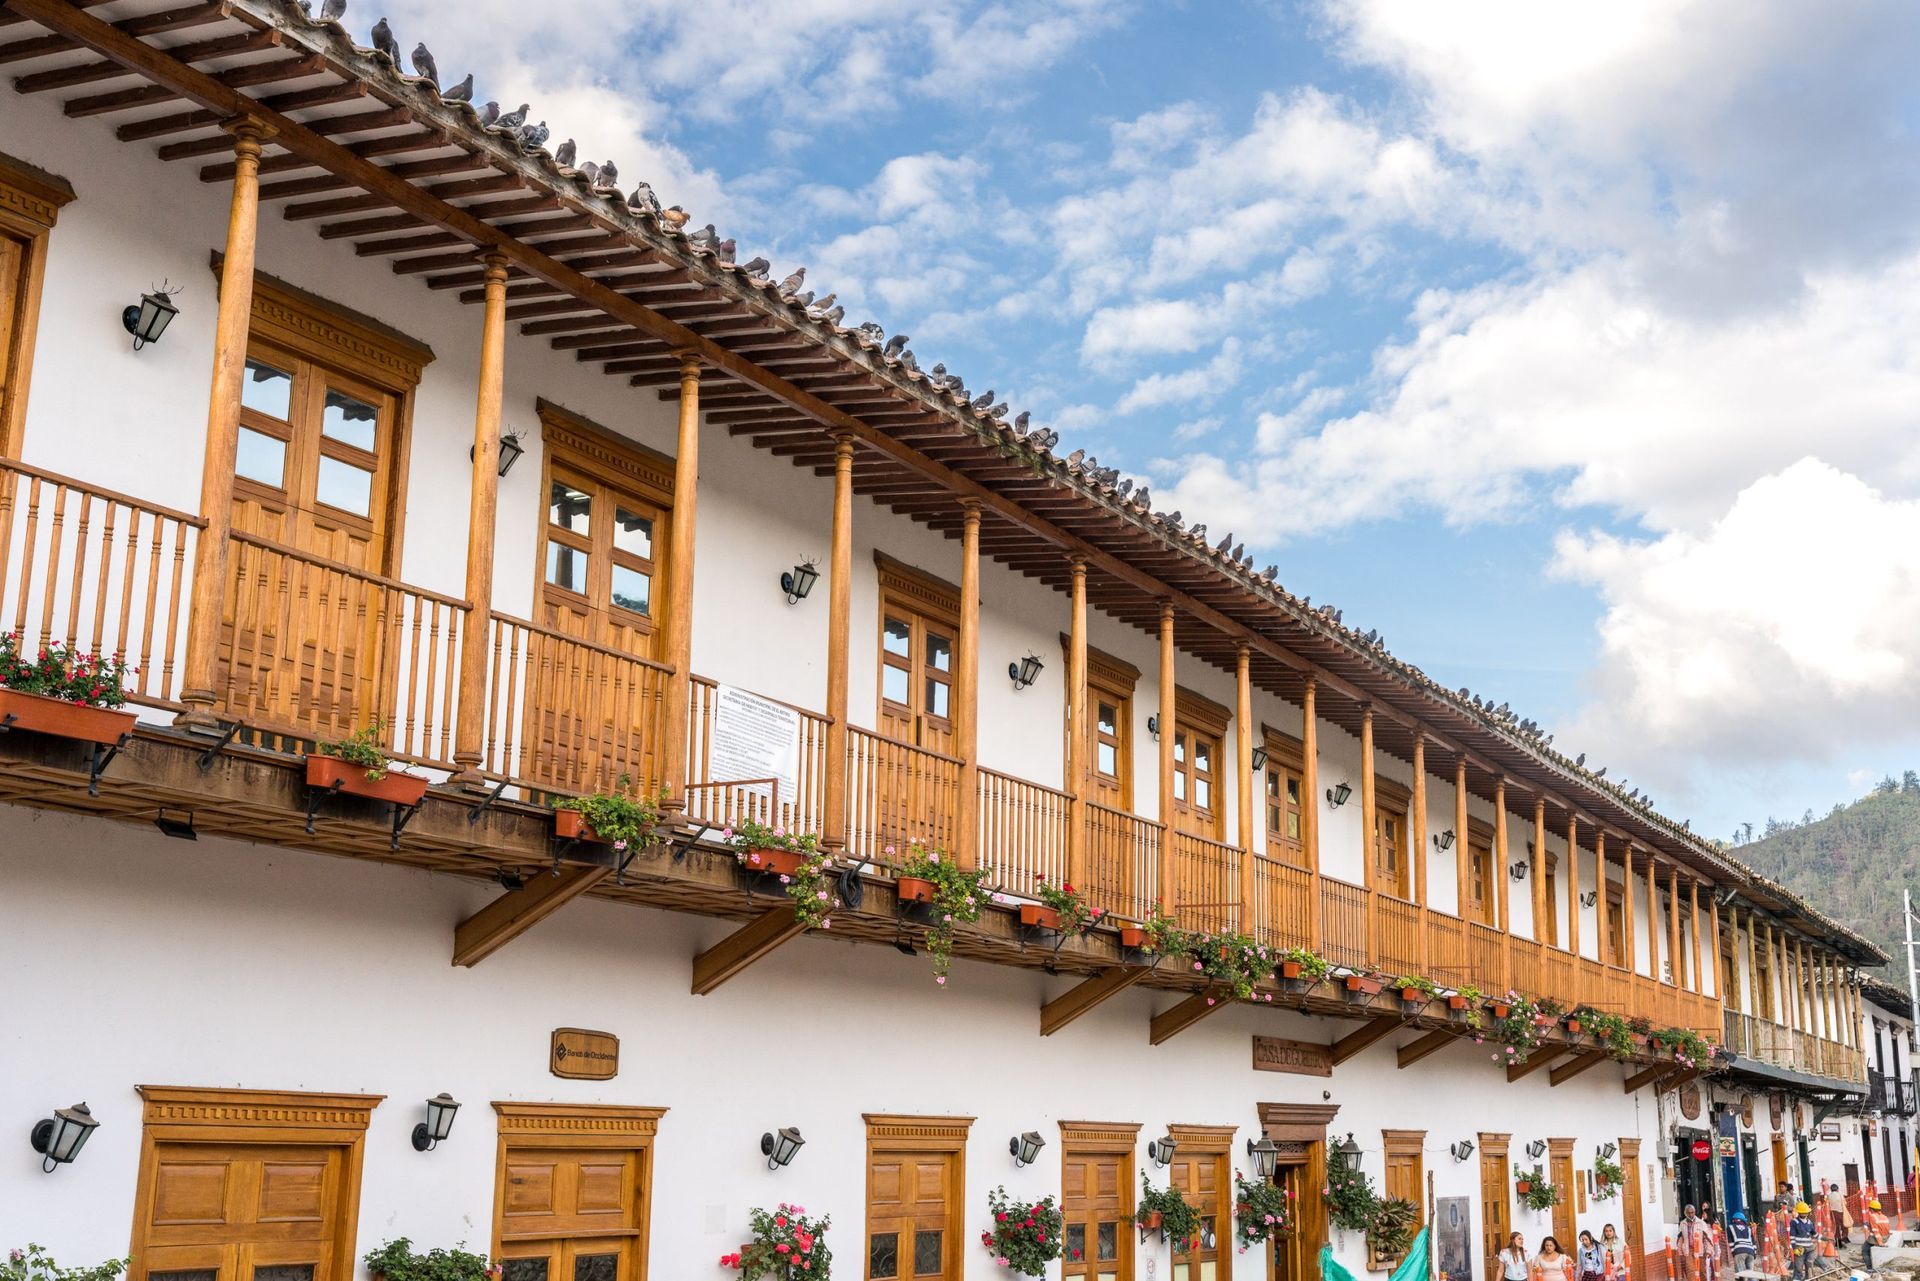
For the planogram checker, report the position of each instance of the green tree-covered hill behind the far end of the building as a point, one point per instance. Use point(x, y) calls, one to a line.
point(1852, 865)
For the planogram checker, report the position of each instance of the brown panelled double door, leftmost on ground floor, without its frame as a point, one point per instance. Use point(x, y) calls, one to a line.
point(243, 1213)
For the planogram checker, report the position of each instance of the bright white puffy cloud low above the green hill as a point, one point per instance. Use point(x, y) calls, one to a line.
point(1787, 631)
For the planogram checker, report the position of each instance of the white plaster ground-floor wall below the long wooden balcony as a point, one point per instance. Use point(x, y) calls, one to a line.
point(135, 959)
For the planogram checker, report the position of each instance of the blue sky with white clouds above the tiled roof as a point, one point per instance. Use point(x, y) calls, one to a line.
point(1573, 347)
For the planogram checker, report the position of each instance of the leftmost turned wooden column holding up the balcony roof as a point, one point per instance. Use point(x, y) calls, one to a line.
point(235, 310)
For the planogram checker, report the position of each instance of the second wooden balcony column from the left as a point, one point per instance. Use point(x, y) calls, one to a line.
point(483, 500)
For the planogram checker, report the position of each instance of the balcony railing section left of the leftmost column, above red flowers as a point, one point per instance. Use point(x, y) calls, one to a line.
point(95, 569)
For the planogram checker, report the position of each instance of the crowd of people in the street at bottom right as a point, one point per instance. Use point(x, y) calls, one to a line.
point(1787, 1242)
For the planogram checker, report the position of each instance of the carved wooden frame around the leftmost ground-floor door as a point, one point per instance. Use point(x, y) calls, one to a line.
point(254, 1117)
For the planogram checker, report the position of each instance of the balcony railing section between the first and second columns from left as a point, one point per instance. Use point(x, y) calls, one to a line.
point(318, 650)
